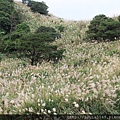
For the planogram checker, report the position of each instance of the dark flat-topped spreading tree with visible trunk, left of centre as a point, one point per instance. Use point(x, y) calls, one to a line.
point(37, 48)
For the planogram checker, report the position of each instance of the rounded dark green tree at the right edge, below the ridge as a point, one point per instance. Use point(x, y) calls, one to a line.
point(103, 28)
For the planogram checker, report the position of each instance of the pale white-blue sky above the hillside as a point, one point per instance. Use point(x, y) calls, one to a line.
point(82, 9)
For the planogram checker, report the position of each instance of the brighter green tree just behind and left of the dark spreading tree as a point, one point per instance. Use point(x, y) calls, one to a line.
point(12, 39)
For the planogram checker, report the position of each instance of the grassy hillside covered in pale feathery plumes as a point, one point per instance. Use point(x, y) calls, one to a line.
point(86, 80)
